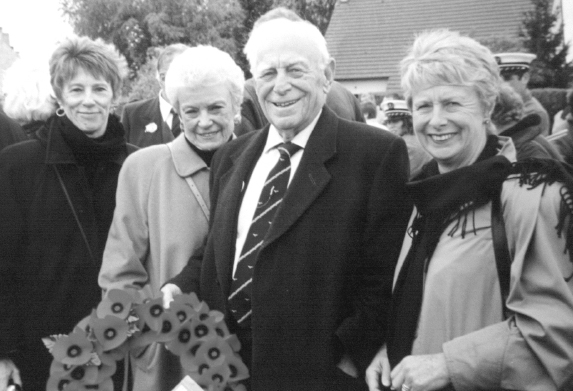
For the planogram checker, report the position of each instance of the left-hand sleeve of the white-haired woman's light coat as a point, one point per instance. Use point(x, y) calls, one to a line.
point(127, 245)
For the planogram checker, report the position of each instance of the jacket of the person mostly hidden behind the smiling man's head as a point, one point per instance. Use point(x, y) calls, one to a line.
point(339, 99)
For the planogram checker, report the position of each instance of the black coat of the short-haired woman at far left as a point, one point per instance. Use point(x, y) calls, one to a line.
point(48, 280)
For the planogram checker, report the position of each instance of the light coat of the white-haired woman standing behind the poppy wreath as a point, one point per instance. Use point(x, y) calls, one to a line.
point(157, 225)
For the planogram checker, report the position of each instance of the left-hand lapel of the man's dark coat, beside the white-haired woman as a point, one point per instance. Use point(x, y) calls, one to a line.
point(231, 187)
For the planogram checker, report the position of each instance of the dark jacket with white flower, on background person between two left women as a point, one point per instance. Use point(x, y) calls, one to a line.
point(137, 116)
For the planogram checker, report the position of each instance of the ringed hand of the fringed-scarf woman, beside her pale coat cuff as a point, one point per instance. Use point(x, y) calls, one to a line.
point(421, 373)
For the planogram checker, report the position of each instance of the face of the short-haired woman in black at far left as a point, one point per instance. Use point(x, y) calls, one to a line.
point(87, 101)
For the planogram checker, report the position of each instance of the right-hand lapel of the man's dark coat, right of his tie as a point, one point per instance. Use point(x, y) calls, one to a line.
point(310, 178)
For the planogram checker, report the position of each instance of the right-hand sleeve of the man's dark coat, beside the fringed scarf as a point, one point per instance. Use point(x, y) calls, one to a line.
point(388, 210)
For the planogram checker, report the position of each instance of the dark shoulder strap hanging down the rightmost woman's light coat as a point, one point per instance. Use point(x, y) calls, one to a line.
point(501, 250)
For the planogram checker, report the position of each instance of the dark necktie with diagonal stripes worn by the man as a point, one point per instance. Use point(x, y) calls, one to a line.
point(271, 196)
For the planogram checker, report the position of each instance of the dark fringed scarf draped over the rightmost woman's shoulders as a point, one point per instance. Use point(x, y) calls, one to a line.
point(441, 199)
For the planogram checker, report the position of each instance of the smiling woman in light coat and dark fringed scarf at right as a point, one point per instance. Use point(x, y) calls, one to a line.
point(457, 321)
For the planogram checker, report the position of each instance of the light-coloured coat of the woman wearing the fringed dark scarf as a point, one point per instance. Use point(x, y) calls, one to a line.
point(461, 314)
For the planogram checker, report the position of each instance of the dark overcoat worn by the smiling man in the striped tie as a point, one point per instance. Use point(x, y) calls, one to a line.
point(322, 282)
